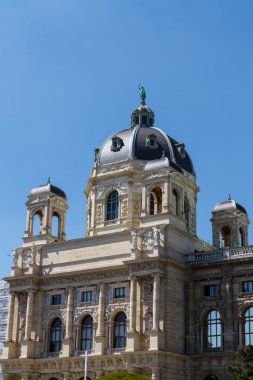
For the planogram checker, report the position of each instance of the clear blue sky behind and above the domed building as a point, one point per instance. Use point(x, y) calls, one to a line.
point(69, 72)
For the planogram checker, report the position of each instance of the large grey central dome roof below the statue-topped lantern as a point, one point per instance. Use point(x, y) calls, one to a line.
point(144, 142)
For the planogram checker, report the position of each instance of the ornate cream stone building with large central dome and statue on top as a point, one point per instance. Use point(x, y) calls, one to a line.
point(141, 292)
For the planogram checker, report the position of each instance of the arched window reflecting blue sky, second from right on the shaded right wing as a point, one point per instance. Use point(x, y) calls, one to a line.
point(214, 334)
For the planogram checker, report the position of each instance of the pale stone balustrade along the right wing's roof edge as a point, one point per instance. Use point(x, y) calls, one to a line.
point(223, 254)
